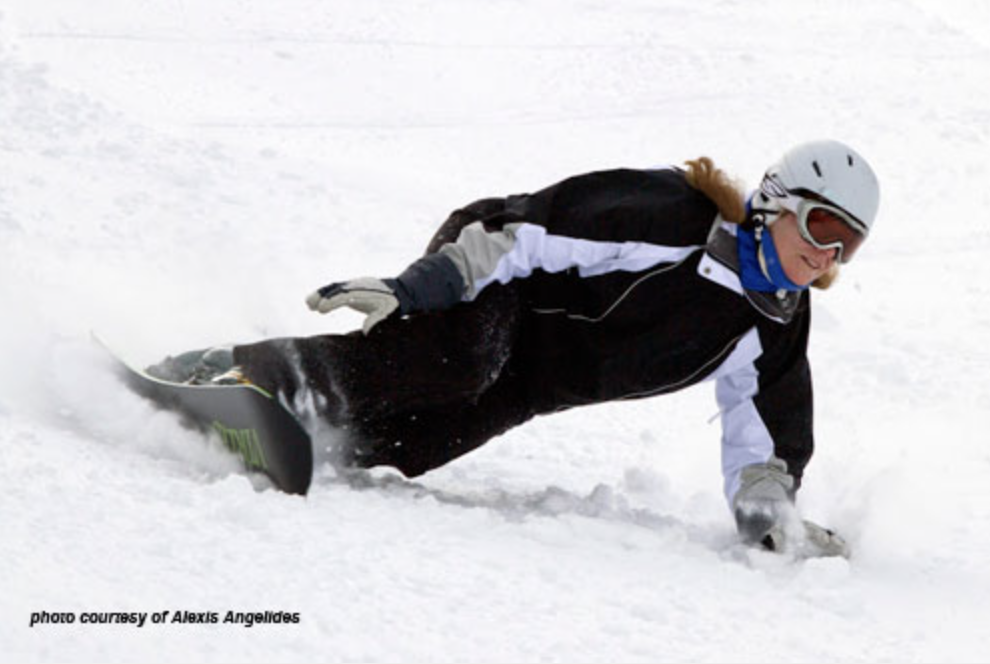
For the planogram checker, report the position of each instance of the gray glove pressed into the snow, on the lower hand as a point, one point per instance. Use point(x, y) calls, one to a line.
point(765, 514)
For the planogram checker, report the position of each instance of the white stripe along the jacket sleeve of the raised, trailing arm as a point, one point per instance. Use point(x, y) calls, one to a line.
point(534, 248)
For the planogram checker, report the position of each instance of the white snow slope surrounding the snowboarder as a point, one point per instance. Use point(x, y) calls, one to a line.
point(175, 174)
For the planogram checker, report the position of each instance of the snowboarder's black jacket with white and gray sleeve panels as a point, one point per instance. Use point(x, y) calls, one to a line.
point(629, 281)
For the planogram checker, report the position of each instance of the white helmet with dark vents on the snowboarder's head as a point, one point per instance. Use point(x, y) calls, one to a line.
point(828, 172)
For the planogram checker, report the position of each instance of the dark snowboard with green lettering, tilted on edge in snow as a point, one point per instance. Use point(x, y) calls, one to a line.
point(249, 421)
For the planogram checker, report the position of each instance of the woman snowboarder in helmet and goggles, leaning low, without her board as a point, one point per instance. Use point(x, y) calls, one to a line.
point(611, 285)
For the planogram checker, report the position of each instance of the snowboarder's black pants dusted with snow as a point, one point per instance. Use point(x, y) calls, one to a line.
point(416, 392)
